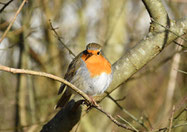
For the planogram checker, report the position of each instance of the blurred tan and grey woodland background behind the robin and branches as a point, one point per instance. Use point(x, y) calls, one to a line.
point(146, 100)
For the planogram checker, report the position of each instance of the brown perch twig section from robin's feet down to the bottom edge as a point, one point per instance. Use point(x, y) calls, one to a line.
point(113, 119)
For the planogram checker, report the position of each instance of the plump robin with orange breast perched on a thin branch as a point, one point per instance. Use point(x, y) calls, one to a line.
point(89, 71)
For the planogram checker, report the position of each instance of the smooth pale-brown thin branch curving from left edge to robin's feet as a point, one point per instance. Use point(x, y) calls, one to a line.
point(43, 74)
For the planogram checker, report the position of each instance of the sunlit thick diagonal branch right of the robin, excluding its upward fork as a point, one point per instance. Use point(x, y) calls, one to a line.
point(143, 53)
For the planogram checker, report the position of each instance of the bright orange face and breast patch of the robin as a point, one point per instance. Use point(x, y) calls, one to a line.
point(97, 64)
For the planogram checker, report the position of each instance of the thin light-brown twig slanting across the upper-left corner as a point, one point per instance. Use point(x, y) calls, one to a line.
point(13, 20)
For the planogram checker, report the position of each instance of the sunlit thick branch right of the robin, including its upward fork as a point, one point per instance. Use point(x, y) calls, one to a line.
point(149, 47)
